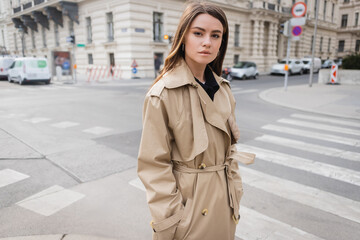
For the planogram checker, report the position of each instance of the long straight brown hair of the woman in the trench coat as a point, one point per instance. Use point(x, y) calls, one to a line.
point(191, 12)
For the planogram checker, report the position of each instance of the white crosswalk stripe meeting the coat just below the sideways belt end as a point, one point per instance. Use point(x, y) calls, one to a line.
point(322, 169)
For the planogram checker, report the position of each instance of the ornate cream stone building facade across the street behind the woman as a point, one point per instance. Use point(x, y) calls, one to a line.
point(117, 32)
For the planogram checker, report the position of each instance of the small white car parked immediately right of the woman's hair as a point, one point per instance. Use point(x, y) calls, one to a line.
point(242, 70)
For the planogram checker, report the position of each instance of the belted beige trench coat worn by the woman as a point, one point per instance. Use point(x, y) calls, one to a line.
point(188, 161)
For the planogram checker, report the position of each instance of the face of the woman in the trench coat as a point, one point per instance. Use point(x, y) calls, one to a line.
point(203, 40)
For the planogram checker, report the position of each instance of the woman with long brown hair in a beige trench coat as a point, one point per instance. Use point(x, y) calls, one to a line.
point(187, 157)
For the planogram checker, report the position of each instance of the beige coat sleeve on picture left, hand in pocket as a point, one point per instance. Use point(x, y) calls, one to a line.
point(155, 169)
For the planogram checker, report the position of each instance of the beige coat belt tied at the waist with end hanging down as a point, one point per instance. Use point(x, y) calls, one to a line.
point(231, 189)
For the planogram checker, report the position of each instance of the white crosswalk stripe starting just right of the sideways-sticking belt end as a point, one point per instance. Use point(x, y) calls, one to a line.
point(289, 143)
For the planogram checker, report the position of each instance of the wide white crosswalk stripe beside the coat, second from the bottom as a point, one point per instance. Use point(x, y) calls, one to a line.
point(305, 195)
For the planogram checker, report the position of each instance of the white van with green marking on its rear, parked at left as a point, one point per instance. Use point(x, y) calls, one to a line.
point(29, 69)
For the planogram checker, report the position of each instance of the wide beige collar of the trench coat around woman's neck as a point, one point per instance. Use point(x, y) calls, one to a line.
point(181, 75)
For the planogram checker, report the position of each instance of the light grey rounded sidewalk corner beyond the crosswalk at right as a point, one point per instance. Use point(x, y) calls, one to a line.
point(333, 100)
